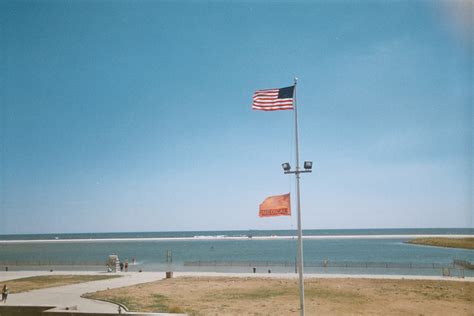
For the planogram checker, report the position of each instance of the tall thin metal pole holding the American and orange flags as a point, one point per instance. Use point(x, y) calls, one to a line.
point(300, 234)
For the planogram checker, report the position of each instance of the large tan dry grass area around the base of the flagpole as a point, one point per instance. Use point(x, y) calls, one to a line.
point(259, 296)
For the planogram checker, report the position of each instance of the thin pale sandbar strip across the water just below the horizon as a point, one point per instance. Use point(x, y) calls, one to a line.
point(201, 238)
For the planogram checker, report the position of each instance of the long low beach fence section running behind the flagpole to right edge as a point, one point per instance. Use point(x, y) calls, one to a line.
point(456, 268)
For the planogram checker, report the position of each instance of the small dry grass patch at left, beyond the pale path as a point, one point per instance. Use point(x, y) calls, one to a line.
point(47, 281)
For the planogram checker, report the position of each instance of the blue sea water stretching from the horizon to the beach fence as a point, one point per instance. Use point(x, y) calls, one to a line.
point(218, 251)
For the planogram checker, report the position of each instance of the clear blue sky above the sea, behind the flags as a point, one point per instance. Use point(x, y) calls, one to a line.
point(136, 115)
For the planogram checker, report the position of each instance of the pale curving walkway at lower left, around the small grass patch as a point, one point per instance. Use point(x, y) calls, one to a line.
point(69, 296)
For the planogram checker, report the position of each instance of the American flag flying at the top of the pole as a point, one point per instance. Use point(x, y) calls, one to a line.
point(273, 99)
